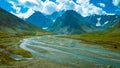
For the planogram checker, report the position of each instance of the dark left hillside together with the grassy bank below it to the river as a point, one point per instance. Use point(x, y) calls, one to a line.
point(12, 30)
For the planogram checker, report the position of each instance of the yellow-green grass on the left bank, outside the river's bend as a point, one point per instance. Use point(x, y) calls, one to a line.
point(10, 42)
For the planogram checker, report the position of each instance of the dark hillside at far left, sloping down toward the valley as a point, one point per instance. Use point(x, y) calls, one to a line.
point(10, 23)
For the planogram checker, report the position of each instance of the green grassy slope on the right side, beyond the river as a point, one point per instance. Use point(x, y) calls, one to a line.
point(109, 39)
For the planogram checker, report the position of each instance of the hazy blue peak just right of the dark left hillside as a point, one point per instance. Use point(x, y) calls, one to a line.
point(39, 20)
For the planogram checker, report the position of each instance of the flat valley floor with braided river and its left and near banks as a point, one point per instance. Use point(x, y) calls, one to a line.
point(55, 52)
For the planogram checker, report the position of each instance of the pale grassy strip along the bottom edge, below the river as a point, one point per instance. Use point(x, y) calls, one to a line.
point(38, 64)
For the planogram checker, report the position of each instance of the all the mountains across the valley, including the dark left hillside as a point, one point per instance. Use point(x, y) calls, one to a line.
point(69, 22)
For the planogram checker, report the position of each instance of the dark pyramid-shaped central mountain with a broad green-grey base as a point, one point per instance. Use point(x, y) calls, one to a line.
point(71, 23)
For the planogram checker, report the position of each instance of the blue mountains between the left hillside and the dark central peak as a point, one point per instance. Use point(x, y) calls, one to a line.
point(43, 21)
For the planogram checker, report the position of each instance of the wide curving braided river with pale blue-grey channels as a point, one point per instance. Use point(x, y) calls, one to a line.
point(70, 52)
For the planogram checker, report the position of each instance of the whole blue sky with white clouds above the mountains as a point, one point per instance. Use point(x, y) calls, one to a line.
point(25, 8)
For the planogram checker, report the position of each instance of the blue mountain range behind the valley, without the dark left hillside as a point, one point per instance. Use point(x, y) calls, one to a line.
point(70, 22)
